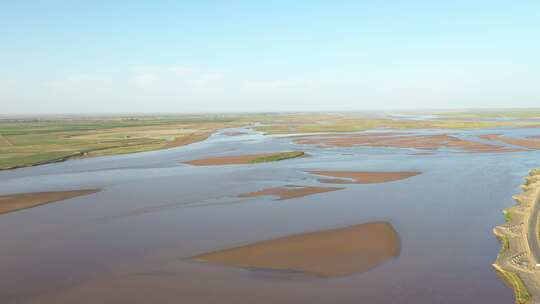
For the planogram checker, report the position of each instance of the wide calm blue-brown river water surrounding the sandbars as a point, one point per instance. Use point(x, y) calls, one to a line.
point(130, 243)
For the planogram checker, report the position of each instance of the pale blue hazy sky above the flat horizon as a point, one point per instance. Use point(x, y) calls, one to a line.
point(267, 56)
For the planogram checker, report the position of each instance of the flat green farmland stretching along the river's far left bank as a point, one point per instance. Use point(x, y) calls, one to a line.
point(37, 141)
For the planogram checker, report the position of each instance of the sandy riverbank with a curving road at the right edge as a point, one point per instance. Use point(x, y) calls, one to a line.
point(518, 262)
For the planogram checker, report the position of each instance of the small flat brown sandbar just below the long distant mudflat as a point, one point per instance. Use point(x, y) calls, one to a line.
point(362, 177)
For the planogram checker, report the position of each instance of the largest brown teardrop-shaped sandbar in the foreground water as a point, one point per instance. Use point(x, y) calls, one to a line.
point(327, 253)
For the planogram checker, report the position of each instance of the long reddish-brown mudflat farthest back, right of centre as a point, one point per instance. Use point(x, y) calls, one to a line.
point(426, 142)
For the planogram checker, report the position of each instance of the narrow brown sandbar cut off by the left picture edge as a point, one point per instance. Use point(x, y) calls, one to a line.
point(10, 203)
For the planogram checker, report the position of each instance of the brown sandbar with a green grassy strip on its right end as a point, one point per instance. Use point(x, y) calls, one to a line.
point(245, 159)
